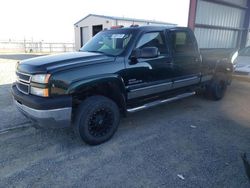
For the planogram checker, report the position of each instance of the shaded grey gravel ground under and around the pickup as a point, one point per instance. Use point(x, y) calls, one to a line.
point(199, 139)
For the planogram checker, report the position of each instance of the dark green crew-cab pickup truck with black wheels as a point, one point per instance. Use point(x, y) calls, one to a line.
point(119, 71)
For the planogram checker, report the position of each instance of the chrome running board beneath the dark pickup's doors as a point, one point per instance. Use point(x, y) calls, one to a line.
point(158, 102)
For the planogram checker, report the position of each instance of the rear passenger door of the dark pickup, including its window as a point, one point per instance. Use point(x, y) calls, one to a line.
point(186, 58)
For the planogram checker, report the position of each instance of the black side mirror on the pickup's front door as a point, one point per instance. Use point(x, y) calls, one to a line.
point(147, 52)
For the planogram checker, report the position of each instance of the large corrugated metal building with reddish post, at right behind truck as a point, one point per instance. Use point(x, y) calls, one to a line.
point(220, 23)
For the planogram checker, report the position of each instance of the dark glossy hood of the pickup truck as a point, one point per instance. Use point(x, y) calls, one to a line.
point(59, 62)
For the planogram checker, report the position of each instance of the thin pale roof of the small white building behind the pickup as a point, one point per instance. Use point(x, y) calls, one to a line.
point(125, 19)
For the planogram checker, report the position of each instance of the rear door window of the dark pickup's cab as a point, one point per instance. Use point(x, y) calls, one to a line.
point(182, 43)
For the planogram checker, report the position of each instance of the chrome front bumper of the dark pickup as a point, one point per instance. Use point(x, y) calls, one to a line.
point(60, 117)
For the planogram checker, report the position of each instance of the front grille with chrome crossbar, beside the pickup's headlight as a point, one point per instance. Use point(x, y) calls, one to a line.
point(23, 82)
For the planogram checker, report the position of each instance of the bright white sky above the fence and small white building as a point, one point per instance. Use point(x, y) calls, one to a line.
point(52, 20)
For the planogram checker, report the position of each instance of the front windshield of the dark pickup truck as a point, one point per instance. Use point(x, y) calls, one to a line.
point(109, 43)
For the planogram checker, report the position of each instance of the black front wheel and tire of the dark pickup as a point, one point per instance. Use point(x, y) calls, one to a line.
point(97, 119)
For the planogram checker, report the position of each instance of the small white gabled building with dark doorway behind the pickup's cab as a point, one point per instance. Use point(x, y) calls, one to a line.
point(90, 25)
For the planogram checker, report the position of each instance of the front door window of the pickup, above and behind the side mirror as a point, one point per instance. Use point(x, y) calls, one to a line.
point(153, 39)
